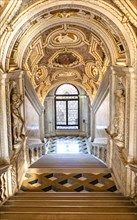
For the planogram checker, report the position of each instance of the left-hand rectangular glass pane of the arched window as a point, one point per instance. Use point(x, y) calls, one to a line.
point(61, 112)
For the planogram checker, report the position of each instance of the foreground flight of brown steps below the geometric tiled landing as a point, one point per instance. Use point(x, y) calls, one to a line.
point(68, 205)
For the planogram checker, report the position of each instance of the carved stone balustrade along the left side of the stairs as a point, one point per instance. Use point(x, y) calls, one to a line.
point(11, 175)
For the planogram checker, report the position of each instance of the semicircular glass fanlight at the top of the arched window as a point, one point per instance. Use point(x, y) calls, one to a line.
point(66, 89)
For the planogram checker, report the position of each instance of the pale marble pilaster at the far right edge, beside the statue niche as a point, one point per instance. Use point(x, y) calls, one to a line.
point(131, 113)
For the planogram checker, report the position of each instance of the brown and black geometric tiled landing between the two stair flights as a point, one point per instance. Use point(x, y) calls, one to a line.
point(69, 182)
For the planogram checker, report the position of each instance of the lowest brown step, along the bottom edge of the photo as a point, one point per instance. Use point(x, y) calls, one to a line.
point(68, 216)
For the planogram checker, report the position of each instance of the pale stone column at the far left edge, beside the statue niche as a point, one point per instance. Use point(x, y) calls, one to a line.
point(4, 150)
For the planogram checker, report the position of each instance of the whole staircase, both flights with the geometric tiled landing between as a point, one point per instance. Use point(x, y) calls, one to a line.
point(68, 187)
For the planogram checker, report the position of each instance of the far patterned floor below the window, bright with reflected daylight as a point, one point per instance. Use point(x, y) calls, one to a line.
point(67, 145)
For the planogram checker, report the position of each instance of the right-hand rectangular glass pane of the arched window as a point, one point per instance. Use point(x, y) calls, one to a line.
point(73, 112)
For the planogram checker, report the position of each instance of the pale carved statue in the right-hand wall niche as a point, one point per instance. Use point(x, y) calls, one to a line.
point(120, 114)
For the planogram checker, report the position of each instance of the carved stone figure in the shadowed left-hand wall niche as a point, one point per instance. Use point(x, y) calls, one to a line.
point(17, 120)
